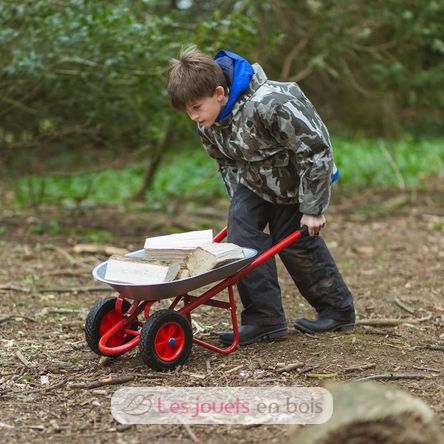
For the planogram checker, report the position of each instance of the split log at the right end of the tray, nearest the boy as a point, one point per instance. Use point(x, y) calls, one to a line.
point(213, 255)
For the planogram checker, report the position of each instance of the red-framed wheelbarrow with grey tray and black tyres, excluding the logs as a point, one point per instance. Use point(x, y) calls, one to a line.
point(165, 338)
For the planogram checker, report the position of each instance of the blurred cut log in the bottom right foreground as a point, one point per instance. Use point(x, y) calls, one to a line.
point(365, 412)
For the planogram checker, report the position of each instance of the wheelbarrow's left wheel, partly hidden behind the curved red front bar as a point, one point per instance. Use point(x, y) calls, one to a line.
point(94, 321)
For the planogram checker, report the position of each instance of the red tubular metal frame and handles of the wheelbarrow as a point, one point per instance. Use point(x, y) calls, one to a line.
point(191, 302)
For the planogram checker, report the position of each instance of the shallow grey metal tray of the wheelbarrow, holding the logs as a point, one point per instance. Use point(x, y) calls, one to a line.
point(172, 289)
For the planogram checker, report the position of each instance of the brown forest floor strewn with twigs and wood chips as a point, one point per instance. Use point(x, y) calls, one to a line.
point(389, 248)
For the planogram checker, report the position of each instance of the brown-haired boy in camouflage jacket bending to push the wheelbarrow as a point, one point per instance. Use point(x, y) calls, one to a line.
point(275, 156)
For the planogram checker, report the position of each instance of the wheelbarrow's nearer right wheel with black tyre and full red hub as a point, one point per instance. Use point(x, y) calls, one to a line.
point(165, 340)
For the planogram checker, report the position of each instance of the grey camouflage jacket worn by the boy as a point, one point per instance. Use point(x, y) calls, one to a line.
point(274, 143)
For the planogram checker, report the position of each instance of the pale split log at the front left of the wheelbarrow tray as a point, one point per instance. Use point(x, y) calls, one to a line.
point(136, 270)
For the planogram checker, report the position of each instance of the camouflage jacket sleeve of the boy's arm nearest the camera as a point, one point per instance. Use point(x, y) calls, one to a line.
point(296, 126)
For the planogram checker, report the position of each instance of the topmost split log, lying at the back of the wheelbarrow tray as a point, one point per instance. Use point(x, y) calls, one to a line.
point(176, 247)
